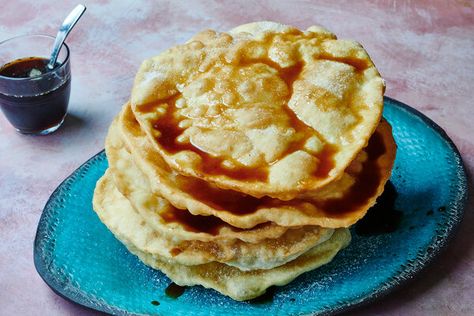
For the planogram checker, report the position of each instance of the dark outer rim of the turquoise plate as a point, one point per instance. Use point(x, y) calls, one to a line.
point(405, 276)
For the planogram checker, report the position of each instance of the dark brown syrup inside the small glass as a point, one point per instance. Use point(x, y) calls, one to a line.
point(46, 104)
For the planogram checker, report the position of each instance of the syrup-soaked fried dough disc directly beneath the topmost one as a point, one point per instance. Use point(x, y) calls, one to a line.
point(340, 204)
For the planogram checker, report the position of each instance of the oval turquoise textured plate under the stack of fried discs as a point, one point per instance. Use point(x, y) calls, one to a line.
point(81, 260)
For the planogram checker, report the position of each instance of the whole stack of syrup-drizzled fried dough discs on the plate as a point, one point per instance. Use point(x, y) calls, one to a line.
point(242, 158)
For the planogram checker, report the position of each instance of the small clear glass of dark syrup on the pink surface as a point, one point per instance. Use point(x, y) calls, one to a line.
point(34, 98)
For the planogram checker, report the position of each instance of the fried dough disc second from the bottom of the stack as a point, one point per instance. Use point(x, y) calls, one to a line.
point(117, 213)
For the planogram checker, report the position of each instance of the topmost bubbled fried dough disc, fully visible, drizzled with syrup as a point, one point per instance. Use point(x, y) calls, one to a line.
point(267, 110)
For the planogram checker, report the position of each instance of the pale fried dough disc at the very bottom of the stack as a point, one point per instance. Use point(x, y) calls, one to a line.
point(242, 285)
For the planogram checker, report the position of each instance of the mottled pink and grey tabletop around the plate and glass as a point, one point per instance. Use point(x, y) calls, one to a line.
point(423, 49)
